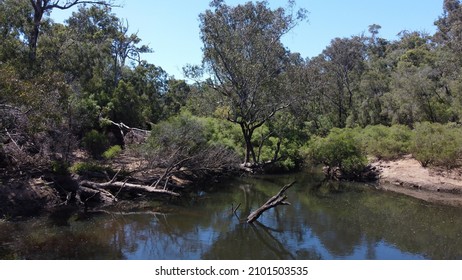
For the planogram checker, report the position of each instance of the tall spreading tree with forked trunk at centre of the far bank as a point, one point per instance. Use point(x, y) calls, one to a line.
point(247, 61)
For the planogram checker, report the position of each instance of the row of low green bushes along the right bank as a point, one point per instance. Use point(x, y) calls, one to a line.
point(430, 143)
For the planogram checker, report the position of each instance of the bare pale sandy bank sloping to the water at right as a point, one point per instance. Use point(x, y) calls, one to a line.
point(407, 176)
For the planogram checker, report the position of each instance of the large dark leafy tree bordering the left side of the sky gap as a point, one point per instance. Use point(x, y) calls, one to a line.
point(96, 56)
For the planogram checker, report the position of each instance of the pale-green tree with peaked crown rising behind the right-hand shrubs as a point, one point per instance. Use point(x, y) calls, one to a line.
point(416, 92)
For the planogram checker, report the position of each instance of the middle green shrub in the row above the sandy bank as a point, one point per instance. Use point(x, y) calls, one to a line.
point(385, 142)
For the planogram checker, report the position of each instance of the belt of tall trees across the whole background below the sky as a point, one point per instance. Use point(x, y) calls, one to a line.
point(60, 81)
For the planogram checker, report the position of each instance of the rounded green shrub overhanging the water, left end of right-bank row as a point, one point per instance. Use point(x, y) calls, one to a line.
point(340, 148)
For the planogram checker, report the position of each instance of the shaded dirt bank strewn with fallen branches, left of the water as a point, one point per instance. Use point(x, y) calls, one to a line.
point(30, 191)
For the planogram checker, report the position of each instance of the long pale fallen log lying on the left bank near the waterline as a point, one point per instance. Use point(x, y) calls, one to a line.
point(118, 186)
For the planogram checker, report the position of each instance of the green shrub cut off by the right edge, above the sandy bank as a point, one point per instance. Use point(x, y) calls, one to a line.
point(437, 144)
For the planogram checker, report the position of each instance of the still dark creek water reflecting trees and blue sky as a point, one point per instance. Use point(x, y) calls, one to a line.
point(325, 221)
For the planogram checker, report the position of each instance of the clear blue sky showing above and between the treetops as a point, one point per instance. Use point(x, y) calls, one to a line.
point(171, 27)
